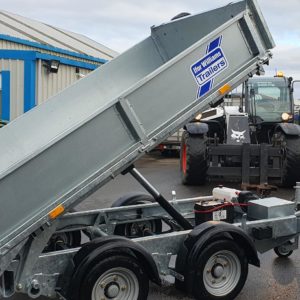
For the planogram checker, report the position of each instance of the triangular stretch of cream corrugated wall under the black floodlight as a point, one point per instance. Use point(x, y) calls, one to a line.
point(49, 84)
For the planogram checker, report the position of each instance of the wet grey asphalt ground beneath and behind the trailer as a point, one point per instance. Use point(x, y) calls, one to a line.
point(276, 279)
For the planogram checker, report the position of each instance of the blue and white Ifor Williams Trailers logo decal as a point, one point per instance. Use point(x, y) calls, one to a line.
point(208, 67)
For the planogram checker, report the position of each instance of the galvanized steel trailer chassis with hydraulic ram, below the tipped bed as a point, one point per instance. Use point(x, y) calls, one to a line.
point(28, 269)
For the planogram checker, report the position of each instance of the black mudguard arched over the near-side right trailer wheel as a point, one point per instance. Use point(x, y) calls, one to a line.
point(200, 237)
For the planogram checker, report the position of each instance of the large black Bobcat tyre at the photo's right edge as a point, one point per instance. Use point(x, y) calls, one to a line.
point(291, 164)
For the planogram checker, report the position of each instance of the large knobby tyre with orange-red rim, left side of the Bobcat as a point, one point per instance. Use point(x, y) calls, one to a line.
point(193, 159)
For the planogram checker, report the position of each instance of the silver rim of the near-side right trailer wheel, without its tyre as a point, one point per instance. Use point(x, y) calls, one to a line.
point(221, 273)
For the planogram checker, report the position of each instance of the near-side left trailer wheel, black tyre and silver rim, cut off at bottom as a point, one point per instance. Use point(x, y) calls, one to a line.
point(112, 271)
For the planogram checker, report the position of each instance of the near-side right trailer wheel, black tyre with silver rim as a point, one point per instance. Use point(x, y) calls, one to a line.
point(222, 270)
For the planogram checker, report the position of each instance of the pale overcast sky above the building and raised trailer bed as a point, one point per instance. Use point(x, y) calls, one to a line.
point(119, 24)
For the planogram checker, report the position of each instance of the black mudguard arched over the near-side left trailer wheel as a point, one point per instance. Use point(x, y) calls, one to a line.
point(101, 248)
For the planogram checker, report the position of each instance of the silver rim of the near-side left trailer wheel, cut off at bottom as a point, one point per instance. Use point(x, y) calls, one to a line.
point(117, 284)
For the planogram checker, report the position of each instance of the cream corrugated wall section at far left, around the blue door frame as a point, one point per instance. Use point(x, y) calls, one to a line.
point(16, 68)
